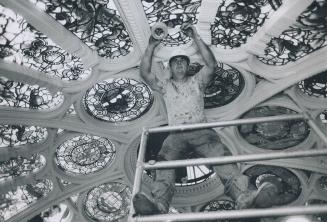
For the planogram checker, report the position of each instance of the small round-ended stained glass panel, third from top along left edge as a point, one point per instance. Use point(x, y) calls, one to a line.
point(17, 135)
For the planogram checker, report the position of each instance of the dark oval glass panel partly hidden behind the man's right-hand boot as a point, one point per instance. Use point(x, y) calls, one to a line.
point(287, 183)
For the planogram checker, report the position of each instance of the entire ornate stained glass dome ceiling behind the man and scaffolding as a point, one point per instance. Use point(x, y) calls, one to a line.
point(73, 104)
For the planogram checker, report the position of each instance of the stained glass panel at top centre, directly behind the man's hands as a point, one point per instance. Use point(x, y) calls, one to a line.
point(173, 13)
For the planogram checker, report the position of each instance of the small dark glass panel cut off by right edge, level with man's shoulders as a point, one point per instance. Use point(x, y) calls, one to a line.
point(315, 86)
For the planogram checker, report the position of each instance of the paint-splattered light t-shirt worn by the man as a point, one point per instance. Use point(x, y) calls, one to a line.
point(184, 100)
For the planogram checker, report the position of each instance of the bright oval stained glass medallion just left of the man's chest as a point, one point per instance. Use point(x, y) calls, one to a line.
point(118, 100)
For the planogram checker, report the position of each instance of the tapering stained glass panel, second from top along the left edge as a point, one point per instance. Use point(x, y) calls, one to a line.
point(18, 94)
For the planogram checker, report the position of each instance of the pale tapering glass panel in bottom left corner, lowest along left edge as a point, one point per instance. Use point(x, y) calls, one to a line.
point(22, 197)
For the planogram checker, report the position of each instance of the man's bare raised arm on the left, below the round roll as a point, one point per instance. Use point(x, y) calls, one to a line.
point(146, 63)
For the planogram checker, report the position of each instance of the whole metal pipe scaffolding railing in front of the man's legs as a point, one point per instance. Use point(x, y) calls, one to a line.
point(233, 214)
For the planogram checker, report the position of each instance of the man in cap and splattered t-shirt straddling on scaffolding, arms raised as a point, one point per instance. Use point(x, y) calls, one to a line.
point(184, 98)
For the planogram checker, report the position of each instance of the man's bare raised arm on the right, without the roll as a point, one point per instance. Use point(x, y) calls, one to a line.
point(206, 53)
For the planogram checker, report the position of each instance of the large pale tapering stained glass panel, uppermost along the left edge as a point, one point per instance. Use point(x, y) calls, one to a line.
point(23, 44)
